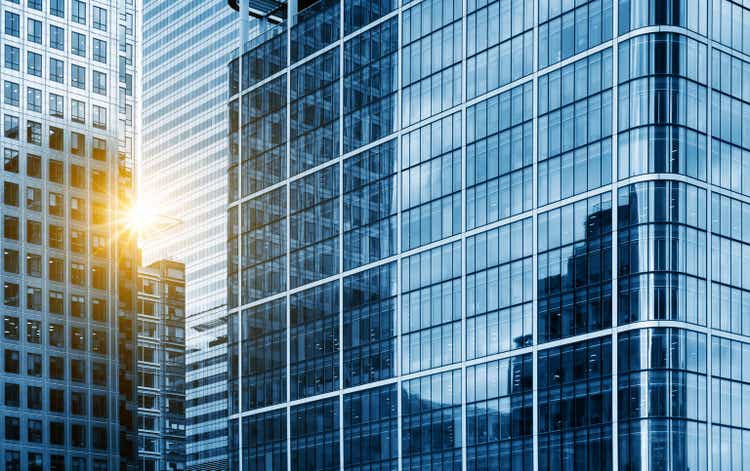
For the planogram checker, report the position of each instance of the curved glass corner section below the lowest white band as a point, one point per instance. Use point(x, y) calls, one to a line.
point(662, 400)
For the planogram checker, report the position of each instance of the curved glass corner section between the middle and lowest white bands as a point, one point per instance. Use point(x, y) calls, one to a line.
point(661, 252)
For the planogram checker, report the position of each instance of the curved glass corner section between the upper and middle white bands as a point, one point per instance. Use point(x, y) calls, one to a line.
point(662, 106)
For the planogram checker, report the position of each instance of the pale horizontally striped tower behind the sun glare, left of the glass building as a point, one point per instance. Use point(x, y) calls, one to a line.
point(186, 46)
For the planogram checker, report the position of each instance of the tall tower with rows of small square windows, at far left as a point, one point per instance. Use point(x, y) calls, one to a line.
point(69, 261)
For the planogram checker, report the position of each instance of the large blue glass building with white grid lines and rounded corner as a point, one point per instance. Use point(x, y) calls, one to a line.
point(475, 234)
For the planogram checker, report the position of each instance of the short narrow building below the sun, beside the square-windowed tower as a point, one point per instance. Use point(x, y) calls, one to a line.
point(161, 366)
